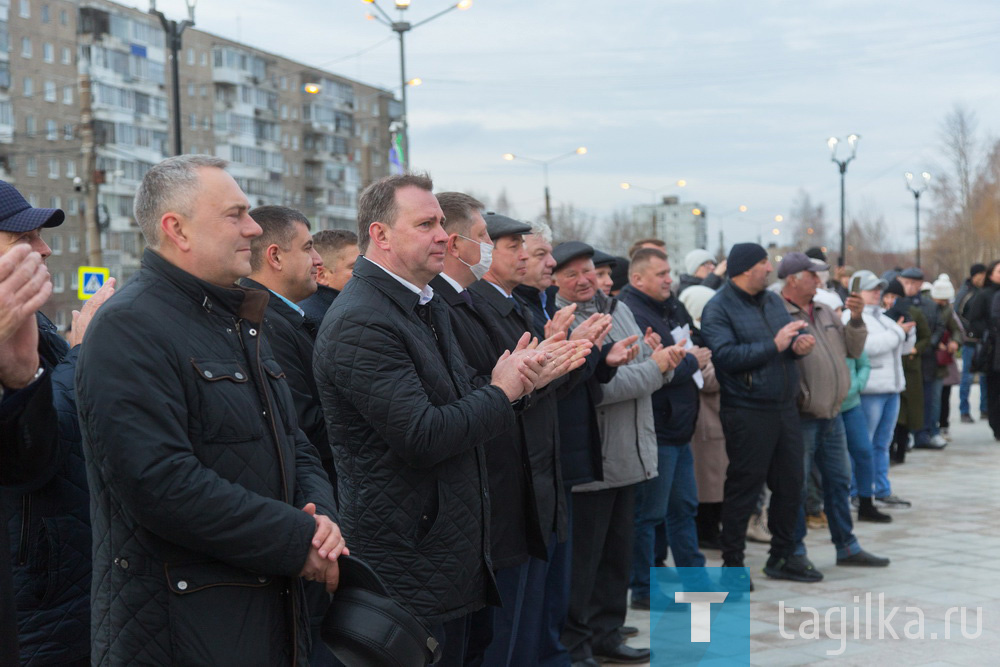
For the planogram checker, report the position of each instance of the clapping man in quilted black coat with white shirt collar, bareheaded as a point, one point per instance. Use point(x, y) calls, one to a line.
point(407, 424)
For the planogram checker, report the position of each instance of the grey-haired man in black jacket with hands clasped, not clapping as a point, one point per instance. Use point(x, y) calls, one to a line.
point(208, 502)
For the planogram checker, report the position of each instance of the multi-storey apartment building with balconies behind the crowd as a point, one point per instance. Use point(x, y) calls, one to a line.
point(313, 151)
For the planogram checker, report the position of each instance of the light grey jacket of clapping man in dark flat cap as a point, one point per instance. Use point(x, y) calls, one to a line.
point(625, 414)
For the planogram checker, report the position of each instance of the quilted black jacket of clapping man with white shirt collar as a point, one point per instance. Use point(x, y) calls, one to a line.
point(408, 429)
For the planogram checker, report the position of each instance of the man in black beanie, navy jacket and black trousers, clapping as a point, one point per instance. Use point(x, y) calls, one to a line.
point(754, 346)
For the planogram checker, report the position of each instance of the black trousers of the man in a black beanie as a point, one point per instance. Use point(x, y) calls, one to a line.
point(763, 446)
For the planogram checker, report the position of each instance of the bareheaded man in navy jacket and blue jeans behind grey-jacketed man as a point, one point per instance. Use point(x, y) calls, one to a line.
point(672, 494)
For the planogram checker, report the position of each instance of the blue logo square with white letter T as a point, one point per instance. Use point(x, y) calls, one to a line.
point(698, 615)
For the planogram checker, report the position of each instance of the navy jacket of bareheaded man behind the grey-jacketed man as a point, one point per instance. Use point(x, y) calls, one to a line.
point(675, 404)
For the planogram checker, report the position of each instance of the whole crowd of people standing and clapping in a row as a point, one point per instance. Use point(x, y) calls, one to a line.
point(510, 434)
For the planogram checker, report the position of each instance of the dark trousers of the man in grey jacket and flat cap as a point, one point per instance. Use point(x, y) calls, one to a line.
point(602, 562)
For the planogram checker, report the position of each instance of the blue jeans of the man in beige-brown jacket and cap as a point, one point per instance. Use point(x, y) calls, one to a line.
point(825, 442)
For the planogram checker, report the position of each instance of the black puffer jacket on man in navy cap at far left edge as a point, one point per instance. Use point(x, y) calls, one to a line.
point(49, 531)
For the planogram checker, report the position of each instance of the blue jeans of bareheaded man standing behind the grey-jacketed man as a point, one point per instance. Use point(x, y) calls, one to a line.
point(672, 494)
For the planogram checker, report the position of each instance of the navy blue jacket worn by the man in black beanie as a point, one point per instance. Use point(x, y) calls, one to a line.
point(740, 330)
